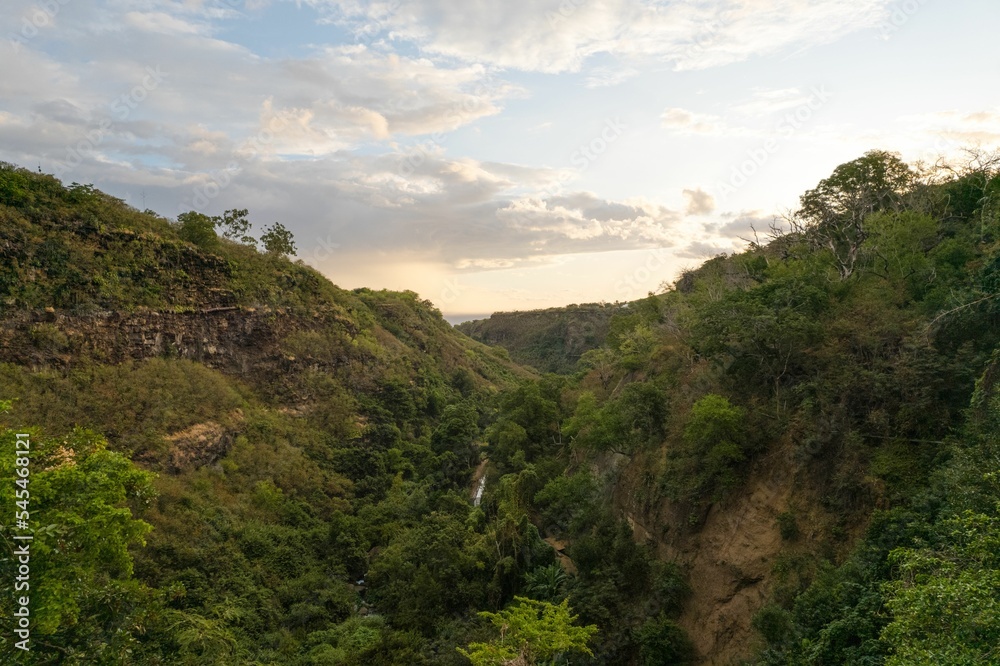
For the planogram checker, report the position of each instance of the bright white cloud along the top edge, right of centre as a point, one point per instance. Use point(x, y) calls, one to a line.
point(561, 35)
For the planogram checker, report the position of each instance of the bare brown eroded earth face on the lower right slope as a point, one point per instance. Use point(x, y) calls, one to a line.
point(731, 552)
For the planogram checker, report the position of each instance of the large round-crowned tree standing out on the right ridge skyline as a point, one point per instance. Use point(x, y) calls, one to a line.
point(833, 213)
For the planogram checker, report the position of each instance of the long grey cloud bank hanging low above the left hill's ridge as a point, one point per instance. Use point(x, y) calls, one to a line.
point(463, 214)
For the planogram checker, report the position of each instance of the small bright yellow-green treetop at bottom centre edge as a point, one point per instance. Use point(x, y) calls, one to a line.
point(531, 632)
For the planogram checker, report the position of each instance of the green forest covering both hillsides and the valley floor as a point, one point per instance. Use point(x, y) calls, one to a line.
point(236, 462)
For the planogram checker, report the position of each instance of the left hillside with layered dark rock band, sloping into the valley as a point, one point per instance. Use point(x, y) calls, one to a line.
point(291, 428)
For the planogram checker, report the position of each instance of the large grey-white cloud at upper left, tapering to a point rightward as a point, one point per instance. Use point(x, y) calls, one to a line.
point(329, 99)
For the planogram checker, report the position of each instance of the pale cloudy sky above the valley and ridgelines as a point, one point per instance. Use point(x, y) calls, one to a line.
point(491, 155)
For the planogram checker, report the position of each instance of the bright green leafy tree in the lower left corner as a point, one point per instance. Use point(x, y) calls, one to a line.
point(82, 597)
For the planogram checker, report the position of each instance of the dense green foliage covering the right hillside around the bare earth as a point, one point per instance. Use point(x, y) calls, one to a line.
point(842, 356)
